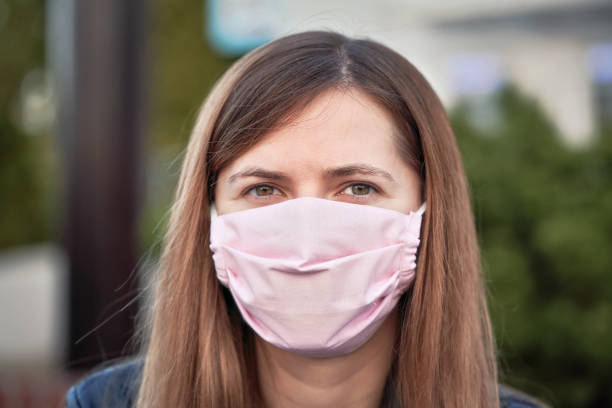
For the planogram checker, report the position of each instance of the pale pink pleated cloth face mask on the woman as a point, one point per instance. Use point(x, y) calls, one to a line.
point(314, 276)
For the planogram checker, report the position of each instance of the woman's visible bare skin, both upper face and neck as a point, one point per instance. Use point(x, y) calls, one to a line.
point(341, 147)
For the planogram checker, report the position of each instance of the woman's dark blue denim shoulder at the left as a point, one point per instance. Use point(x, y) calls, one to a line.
point(115, 386)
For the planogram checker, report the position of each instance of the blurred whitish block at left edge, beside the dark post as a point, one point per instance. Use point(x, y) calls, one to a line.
point(33, 307)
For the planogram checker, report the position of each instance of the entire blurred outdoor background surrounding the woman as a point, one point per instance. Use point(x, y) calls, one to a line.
point(97, 100)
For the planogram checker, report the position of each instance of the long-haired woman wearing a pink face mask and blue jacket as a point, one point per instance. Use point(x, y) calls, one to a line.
point(321, 250)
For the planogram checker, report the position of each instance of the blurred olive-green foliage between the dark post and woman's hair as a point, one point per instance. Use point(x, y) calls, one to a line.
point(183, 70)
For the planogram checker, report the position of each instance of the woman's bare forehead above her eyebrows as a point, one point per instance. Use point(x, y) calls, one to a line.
point(337, 127)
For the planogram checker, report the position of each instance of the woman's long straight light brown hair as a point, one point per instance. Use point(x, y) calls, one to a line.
point(199, 352)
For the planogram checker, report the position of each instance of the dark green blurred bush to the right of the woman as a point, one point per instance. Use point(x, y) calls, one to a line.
point(544, 218)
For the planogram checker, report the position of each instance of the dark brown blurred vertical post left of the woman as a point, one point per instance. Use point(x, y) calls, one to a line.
point(102, 131)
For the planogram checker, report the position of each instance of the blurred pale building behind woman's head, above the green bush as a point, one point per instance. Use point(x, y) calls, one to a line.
point(557, 51)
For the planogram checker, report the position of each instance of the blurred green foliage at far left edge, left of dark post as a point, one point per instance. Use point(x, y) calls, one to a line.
point(24, 175)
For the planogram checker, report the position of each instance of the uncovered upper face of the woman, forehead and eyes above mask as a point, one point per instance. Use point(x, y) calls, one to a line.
point(342, 147)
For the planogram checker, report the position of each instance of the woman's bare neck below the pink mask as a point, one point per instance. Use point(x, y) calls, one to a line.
point(356, 379)
